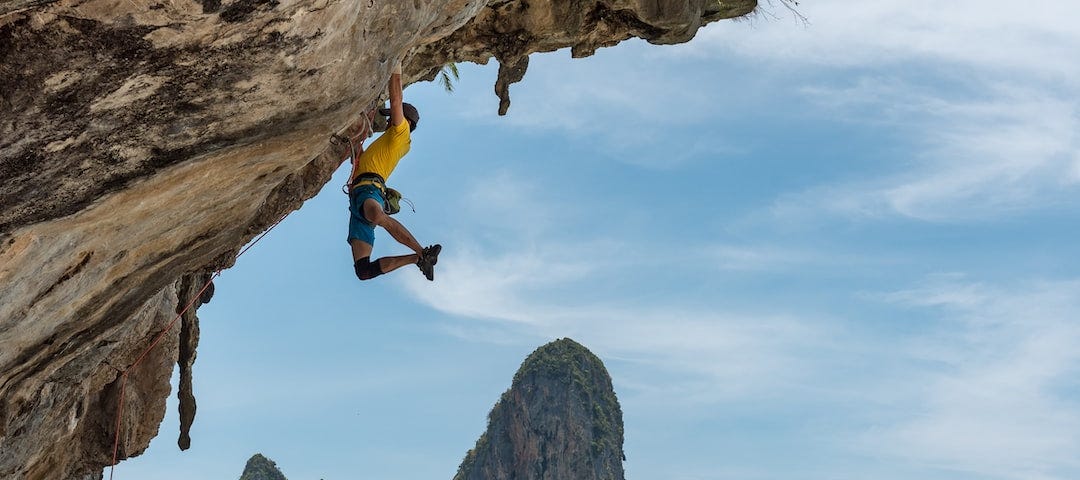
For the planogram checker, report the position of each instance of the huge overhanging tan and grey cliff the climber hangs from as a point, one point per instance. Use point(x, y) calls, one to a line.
point(144, 142)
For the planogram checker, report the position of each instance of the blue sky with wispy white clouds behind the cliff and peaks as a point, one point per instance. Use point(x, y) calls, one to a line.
point(842, 250)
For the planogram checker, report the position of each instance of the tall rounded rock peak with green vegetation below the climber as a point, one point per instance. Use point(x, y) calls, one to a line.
point(560, 420)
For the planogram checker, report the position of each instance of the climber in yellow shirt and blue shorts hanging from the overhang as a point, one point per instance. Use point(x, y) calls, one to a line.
point(368, 194)
